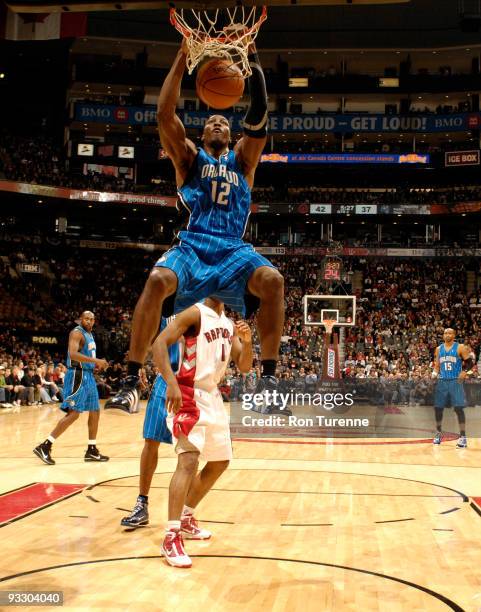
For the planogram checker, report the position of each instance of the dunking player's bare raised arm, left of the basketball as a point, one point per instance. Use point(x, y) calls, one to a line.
point(180, 149)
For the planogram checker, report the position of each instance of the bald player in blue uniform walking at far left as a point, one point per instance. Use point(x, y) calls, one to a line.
point(79, 390)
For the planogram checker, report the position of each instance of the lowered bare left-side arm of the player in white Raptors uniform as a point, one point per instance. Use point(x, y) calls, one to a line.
point(171, 334)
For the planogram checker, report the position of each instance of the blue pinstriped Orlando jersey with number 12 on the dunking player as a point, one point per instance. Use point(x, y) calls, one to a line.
point(217, 196)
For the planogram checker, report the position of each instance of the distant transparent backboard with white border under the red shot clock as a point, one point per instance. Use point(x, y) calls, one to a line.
point(338, 308)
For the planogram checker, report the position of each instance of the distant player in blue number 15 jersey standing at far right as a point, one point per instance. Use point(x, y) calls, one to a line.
point(449, 360)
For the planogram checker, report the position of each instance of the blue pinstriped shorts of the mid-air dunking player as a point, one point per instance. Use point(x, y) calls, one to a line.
point(211, 266)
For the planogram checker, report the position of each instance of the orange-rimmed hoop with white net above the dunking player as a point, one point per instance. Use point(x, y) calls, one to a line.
point(224, 34)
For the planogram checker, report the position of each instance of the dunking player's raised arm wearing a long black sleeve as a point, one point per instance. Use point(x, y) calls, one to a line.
point(249, 148)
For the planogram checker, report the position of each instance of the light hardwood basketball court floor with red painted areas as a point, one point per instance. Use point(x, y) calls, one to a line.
point(298, 524)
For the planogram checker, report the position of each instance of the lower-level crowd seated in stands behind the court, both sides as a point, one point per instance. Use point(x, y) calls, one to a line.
point(403, 305)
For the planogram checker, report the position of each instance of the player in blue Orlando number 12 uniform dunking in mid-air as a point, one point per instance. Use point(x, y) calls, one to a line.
point(211, 259)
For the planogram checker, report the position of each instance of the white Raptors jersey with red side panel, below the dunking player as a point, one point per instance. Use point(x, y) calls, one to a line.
point(206, 356)
